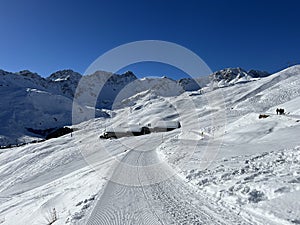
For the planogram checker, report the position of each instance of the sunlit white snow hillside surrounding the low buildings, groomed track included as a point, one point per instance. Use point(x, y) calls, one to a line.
point(223, 166)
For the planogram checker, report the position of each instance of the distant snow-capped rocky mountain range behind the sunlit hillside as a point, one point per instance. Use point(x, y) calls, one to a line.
point(31, 102)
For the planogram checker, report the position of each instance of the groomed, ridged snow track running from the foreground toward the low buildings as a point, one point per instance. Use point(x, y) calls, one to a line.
point(170, 201)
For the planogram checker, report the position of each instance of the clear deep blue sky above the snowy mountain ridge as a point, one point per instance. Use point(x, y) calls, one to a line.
point(46, 36)
